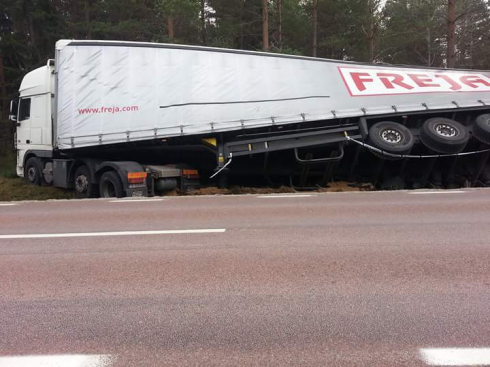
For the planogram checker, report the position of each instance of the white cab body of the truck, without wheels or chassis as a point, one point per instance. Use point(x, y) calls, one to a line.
point(33, 113)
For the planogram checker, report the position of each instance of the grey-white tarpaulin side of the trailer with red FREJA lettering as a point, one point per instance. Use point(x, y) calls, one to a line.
point(115, 92)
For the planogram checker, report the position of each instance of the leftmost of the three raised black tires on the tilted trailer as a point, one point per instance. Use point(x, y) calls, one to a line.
point(391, 137)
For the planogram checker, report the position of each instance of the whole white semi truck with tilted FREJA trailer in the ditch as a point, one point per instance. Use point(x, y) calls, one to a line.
point(115, 119)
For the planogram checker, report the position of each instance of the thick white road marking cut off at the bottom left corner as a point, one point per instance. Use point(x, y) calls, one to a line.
point(75, 360)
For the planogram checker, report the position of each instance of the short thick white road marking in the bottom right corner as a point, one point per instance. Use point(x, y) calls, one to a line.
point(456, 356)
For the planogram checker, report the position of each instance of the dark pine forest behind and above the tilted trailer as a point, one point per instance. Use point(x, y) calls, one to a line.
point(402, 31)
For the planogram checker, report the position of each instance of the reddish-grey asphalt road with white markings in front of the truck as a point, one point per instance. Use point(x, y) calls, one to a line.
point(354, 279)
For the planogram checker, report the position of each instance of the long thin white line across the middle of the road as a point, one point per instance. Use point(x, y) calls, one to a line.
point(105, 234)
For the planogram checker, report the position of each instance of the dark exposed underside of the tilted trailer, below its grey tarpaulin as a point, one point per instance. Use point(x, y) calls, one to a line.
point(313, 154)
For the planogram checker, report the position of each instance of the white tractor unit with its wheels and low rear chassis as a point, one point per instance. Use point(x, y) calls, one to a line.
point(40, 162)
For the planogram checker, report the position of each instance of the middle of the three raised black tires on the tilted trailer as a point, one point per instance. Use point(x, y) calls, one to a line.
point(444, 135)
